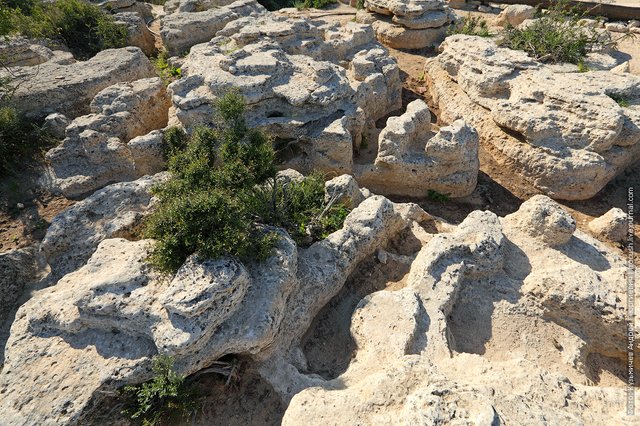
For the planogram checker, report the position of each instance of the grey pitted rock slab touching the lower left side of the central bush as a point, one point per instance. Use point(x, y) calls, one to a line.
point(112, 212)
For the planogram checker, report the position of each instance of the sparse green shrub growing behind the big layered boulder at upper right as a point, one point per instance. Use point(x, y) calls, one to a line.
point(556, 36)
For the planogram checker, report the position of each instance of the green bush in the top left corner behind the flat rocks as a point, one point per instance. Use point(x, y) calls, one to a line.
point(83, 27)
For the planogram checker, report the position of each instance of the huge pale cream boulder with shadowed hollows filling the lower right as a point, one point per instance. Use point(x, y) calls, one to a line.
point(433, 352)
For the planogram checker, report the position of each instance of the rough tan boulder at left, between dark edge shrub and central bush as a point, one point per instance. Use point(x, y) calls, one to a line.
point(95, 151)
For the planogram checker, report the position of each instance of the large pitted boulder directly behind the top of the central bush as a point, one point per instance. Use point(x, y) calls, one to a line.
point(313, 87)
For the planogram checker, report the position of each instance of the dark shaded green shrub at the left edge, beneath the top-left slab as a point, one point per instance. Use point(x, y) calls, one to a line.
point(20, 140)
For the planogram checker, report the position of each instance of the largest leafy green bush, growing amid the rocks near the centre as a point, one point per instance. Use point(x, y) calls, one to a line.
point(218, 199)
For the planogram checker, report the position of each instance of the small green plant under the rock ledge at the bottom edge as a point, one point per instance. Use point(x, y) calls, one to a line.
point(165, 398)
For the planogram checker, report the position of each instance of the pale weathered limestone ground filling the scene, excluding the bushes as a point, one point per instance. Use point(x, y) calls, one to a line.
point(492, 305)
